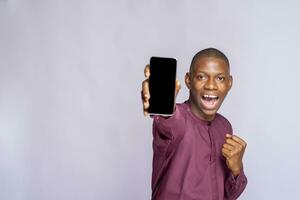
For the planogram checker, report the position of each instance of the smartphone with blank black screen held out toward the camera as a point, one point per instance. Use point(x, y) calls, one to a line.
point(162, 86)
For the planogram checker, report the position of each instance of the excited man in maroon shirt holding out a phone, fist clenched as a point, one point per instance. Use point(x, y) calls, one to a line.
point(195, 154)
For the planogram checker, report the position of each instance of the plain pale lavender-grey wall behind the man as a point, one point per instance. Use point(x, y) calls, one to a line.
point(71, 123)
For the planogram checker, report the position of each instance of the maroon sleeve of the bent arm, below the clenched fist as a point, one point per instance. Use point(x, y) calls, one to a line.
point(234, 186)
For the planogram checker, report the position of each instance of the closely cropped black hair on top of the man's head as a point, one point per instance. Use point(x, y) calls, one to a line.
point(209, 52)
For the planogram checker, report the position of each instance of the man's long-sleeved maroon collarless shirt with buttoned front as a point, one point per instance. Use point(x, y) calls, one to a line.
point(188, 162)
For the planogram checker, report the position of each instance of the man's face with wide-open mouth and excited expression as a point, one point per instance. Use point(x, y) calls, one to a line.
point(208, 83)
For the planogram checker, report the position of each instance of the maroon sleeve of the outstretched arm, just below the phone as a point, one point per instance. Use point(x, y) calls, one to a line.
point(167, 132)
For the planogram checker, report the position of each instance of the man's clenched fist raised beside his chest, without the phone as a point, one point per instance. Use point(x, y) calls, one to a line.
point(233, 150)
